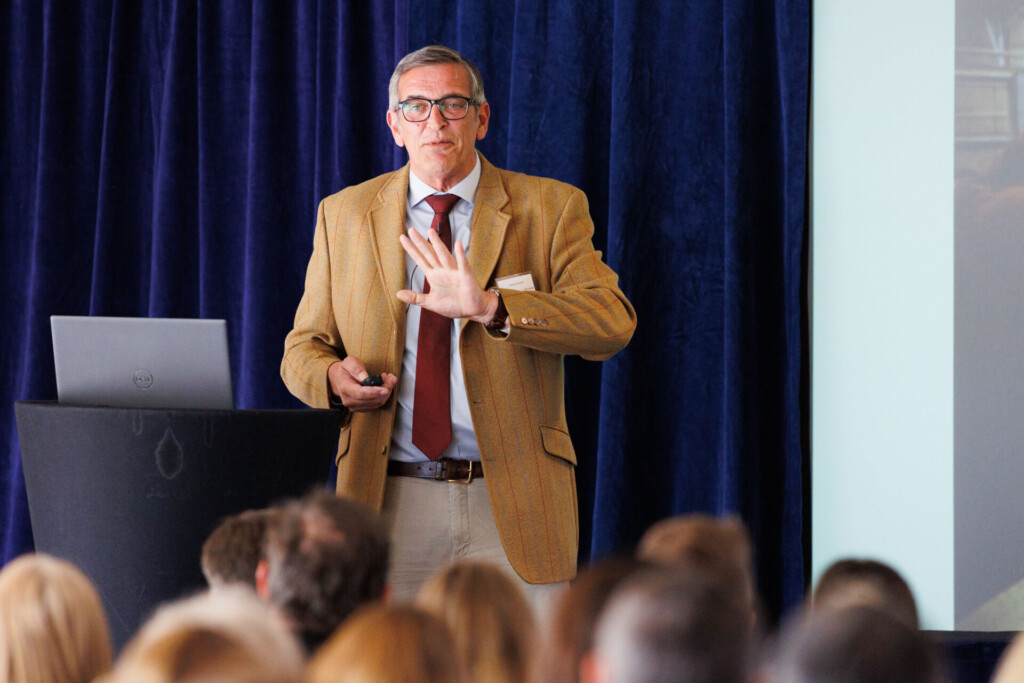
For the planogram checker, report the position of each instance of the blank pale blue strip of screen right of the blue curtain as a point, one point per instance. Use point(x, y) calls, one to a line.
point(883, 291)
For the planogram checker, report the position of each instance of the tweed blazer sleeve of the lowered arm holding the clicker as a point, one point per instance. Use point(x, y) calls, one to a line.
point(315, 343)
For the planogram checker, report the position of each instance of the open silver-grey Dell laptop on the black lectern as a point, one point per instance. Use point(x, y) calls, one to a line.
point(142, 362)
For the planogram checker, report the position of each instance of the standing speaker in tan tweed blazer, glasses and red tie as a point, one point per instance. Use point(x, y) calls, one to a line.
point(471, 371)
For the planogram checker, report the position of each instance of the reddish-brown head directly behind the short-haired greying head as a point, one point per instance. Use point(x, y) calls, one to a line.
point(719, 546)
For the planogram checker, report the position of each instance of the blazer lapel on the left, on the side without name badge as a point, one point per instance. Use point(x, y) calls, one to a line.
point(387, 223)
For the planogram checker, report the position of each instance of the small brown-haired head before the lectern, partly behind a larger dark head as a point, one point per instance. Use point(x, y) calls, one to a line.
point(233, 552)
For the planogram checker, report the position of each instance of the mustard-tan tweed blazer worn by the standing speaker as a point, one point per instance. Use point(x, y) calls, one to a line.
point(515, 382)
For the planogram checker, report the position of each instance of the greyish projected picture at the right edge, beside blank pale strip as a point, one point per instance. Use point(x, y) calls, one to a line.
point(990, 316)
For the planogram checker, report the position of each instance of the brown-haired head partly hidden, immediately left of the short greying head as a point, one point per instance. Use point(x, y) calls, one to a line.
point(570, 633)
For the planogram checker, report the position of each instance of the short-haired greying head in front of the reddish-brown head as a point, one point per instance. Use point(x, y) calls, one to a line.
point(667, 625)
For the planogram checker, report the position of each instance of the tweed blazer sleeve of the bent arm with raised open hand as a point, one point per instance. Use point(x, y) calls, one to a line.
point(585, 314)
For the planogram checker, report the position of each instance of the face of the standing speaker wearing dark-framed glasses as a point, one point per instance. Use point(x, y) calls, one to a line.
point(442, 153)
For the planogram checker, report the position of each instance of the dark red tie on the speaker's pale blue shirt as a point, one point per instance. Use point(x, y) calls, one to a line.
point(433, 401)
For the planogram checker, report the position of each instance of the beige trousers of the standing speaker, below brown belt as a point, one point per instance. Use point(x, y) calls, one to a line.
point(434, 524)
